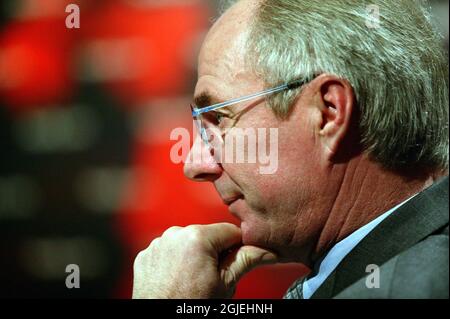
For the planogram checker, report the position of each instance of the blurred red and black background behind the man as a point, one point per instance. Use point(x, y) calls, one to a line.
point(85, 119)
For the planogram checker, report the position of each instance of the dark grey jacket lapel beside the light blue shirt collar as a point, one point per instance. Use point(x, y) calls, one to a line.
point(421, 216)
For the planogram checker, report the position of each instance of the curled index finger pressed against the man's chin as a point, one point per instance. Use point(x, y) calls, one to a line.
point(223, 236)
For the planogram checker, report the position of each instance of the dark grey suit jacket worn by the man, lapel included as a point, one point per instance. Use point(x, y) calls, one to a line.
point(410, 247)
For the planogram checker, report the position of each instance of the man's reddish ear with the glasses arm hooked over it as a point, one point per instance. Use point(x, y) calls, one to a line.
point(337, 104)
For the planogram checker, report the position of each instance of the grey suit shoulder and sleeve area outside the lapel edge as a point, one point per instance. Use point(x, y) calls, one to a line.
point(422, 271)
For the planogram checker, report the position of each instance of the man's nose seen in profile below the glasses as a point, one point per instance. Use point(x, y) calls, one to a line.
point(200, 165)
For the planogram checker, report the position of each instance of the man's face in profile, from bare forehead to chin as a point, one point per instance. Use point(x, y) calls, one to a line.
point(276, 210)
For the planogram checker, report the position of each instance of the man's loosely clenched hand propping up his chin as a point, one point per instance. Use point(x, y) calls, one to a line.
point(198, 261)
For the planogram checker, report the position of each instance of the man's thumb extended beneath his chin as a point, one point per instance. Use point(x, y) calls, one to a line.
point(242, 260)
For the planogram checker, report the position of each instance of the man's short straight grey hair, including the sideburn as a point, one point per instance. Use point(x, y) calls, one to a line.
point(398, 69)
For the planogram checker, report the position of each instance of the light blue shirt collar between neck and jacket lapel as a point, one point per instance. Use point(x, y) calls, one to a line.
point(340, 250)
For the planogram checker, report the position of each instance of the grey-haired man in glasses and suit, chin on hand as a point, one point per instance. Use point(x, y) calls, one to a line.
point(360, 194)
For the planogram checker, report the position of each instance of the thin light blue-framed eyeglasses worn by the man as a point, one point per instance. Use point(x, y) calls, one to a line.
point(213, 125)
